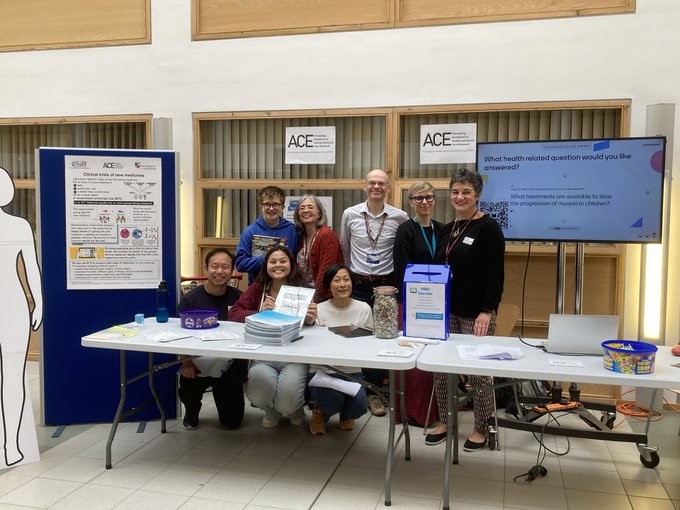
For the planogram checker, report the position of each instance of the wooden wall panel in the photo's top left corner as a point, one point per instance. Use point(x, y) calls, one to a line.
point(42, 24)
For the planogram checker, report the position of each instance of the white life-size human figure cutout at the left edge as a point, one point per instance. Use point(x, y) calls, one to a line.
point(16, 244)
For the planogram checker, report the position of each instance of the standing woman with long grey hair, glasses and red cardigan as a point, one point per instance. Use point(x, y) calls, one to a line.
point(319, 245)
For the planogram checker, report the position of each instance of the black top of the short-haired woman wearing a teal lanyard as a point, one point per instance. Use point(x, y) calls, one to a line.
point(410, 246)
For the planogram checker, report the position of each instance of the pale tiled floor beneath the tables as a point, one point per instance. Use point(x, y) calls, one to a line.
point(287, 468)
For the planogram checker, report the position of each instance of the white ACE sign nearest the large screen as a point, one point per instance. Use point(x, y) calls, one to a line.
point(448, 143)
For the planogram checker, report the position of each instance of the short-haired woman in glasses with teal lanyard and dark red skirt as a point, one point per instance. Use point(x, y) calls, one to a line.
point(416, 243)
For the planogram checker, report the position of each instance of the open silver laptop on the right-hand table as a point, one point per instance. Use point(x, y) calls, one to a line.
point(575, 334)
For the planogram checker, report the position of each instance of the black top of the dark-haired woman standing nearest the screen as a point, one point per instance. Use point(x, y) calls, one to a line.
point(476, 258)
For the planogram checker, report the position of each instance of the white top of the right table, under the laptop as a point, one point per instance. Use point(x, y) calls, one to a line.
point(444, 357)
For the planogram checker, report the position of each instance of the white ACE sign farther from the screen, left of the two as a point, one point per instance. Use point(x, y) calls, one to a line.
point(312, 145)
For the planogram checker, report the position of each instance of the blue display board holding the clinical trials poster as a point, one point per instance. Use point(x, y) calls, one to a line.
point(82, 385)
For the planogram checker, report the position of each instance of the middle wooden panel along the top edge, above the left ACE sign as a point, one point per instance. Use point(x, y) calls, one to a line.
point(236, 18)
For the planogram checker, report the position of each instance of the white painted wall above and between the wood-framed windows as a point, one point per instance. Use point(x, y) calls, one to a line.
point(601, 57)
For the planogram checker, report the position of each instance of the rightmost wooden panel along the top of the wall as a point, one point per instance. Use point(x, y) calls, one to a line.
point(419, 12)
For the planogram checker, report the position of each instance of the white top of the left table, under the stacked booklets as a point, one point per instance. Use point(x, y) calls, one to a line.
point(317, 346)
